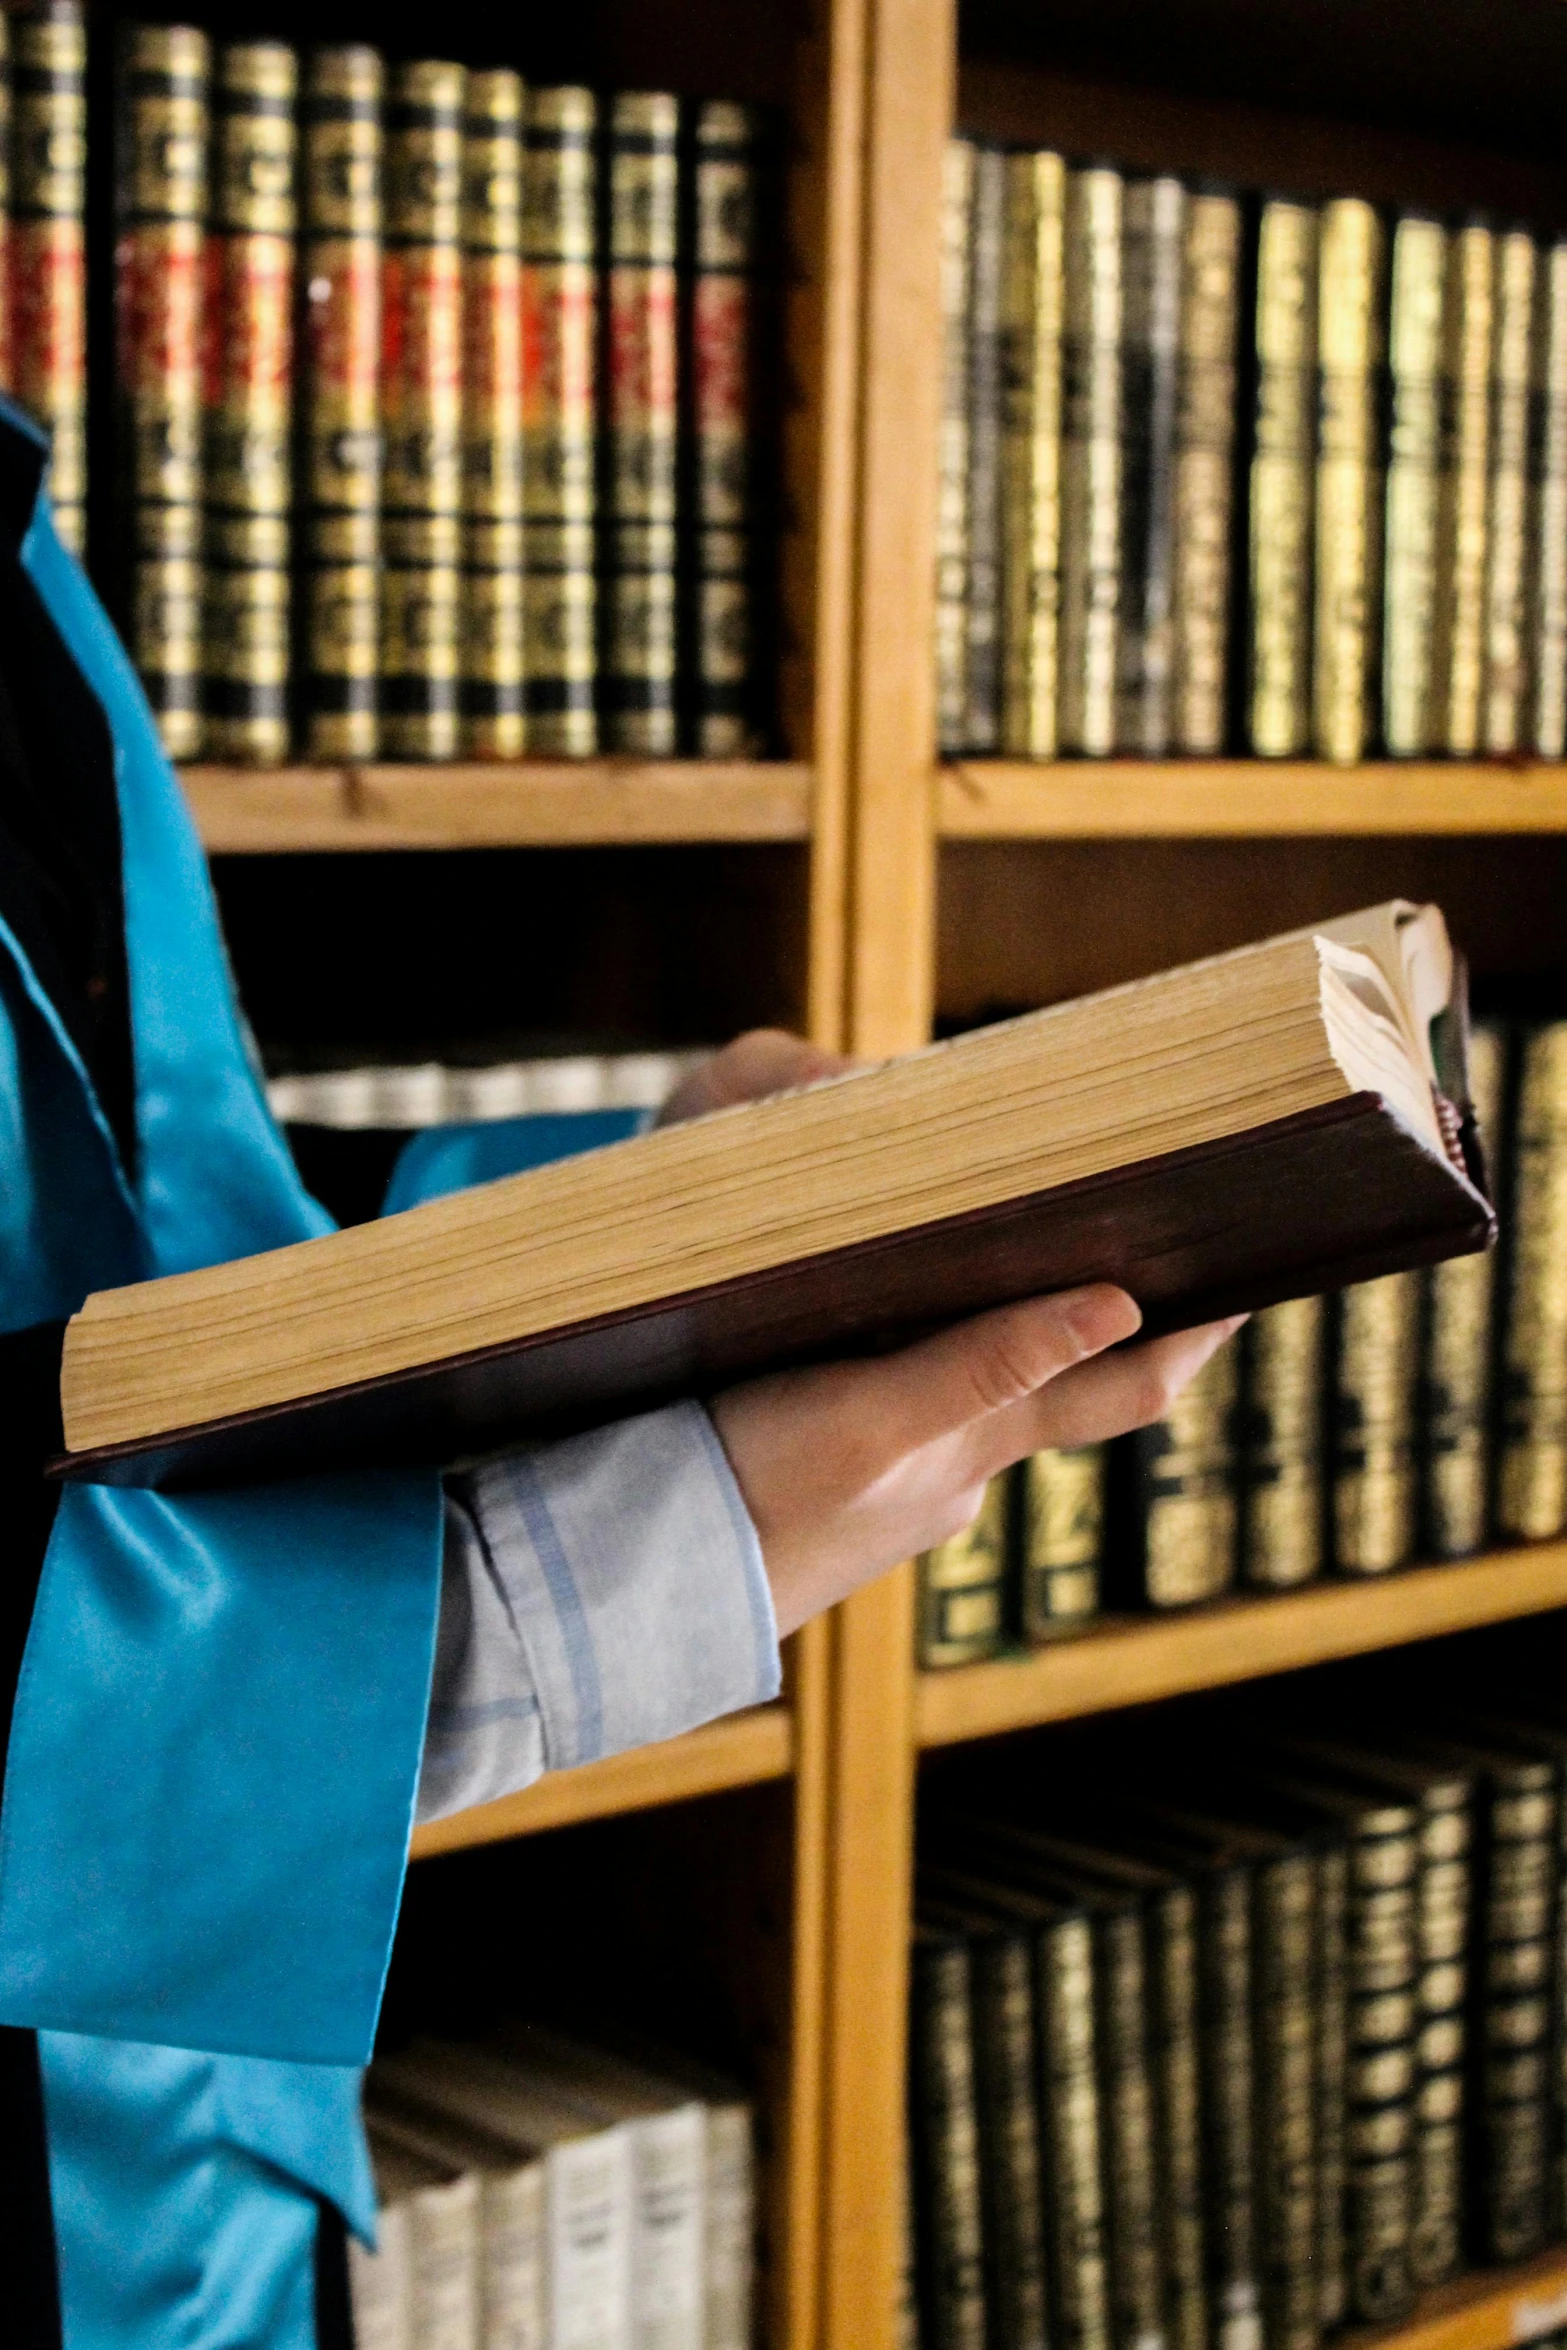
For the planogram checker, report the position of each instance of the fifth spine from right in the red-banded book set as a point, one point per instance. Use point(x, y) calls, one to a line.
point(422, 412)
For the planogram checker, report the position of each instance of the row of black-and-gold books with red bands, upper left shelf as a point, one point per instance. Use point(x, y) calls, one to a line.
point(436, 424)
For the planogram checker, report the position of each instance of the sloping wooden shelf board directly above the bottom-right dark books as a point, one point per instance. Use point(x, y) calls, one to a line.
point(1134, 1660)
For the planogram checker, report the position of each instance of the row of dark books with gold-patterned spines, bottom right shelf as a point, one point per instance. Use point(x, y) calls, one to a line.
point(1244, 2029)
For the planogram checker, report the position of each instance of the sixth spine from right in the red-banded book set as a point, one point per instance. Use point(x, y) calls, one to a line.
point(342, 452)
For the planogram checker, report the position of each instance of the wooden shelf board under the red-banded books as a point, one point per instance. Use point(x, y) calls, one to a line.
point(534, 805)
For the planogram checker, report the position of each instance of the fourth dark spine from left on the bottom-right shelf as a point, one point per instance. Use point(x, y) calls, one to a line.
point(1131, 2184)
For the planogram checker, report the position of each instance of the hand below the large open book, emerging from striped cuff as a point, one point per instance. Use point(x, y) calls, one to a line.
point(856, 1465)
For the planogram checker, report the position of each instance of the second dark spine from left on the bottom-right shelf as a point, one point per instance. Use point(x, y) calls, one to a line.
point(1011, 2177)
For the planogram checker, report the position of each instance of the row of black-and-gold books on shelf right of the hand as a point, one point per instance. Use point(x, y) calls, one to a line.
point(1423, 1416)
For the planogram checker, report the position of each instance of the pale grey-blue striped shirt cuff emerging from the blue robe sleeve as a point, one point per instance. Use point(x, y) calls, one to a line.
point(598, 1594)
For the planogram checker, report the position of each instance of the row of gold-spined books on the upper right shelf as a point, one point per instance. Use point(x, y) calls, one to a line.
point(1244, 474)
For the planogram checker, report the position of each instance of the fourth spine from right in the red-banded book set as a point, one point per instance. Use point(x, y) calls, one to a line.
point(490, 685)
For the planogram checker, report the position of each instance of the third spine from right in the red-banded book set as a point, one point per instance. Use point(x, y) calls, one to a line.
point(560, 422)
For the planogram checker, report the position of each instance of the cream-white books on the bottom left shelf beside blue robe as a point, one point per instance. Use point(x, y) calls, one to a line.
point(544, 2194)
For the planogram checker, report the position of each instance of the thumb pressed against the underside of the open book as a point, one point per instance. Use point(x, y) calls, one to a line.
point(997, 1359)
